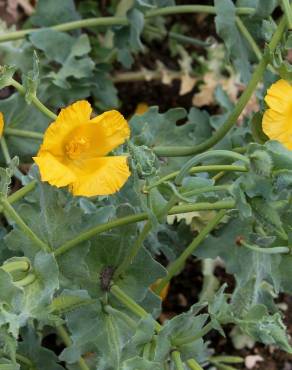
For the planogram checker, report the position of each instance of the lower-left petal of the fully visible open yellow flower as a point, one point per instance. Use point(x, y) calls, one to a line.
point(53, 171)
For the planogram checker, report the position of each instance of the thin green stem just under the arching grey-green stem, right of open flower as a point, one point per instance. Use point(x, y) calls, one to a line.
point(199, 169)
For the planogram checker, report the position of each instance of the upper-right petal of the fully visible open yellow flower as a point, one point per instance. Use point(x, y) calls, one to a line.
point(109, 130)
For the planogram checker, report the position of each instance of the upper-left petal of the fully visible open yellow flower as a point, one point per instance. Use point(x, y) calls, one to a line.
point(69, 118)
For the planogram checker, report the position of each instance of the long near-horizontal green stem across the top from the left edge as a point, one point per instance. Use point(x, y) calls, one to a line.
point(120, 21)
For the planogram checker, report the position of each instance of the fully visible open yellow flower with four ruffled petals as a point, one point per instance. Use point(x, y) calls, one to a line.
point(74, 151)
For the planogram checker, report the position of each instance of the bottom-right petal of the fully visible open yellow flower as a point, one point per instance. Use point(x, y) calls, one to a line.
point(100, 176)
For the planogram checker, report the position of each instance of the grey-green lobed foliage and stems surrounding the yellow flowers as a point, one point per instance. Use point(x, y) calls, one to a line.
point(87, 269)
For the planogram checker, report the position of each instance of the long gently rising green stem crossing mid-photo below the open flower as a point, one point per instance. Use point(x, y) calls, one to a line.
point(183, 208)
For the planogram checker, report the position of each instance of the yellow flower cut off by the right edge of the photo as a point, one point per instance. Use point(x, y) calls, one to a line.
point(277, 120)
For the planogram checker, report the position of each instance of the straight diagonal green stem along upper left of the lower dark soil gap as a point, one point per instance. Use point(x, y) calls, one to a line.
point(176, 265)
